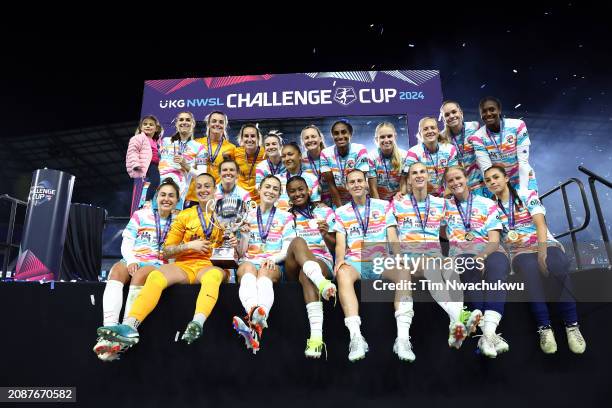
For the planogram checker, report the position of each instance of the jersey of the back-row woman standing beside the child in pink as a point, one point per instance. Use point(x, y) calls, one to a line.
point(195, 155)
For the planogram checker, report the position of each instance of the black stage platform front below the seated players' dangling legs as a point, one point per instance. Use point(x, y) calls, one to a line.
point(48, 335)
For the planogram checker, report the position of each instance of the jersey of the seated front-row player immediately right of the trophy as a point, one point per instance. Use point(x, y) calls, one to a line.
point(281, 229)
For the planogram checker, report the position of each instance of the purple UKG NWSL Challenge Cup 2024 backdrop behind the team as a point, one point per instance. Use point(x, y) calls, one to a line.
point(288, 101)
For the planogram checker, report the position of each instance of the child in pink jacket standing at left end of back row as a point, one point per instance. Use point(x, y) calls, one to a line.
point(141, 161)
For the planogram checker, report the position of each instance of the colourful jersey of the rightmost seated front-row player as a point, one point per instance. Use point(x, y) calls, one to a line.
point(523, 223)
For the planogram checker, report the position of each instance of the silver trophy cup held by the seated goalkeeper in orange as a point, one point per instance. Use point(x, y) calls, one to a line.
point(229, 216)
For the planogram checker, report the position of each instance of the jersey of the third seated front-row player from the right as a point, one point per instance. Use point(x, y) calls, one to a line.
point(412, 236)
